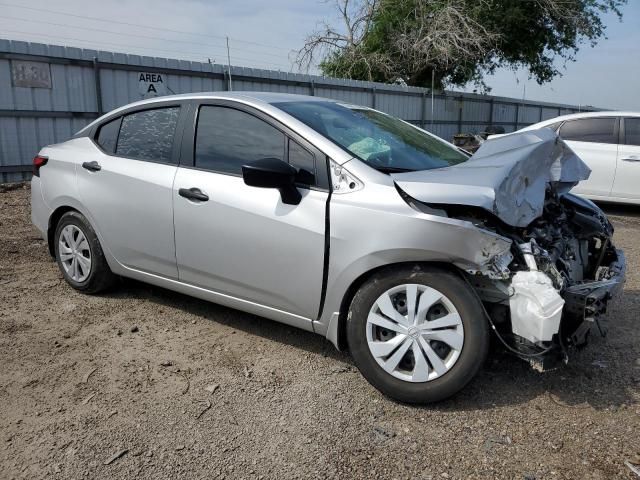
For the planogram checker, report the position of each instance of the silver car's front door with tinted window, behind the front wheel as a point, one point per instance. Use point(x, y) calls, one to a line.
point(243, 241)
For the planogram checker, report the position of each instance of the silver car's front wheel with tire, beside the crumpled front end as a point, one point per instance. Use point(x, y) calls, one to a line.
point(417, 334)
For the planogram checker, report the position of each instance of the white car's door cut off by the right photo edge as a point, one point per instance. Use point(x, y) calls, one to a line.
point(627, 181)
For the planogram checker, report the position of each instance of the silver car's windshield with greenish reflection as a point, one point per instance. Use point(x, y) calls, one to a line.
point(383, 142)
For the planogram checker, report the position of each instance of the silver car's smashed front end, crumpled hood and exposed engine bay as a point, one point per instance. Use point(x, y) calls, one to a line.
point(552, 289)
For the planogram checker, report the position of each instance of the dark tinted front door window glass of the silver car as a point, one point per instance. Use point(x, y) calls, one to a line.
point(227, 138)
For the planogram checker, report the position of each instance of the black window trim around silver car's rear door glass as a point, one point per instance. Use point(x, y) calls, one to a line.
point(175, 147)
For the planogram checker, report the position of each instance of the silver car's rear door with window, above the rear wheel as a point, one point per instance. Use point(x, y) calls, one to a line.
point(125, 184)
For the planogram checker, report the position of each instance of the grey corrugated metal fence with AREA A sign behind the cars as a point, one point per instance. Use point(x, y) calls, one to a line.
point(49, 92)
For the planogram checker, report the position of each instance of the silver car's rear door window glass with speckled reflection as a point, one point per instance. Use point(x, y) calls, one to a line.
point(148, 135)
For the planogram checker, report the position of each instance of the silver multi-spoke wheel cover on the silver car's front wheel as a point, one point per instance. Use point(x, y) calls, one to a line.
point(413, 331)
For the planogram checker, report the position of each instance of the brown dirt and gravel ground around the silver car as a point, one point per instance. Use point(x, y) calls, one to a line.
point(175, 387)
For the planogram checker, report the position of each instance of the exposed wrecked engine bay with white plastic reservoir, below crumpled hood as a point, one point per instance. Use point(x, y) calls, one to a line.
point(562, 270)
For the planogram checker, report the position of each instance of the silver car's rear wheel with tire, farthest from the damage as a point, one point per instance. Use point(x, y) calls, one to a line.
point(79, 255)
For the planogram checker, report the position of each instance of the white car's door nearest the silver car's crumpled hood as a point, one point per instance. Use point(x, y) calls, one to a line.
point(595, 141)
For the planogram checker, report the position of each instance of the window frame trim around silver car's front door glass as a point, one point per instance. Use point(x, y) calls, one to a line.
point(187, 153)
